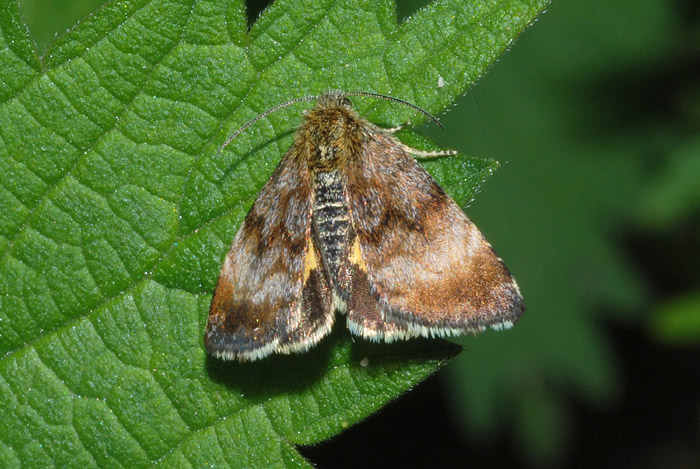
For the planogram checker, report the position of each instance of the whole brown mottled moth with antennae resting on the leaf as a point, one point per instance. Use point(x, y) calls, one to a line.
point(349, 222)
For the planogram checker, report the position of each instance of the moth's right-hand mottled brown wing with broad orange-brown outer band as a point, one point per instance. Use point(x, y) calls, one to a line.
point(420, 266)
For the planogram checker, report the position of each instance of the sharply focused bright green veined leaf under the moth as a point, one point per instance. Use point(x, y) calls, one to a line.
point(116, 212)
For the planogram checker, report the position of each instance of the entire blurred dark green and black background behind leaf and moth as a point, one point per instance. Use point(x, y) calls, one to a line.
point(595, 115)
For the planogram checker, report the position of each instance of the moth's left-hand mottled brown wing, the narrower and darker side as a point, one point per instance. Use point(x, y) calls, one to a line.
point(271, 296)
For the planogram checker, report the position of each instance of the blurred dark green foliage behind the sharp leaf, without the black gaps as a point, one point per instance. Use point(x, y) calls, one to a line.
point(597, 137)
